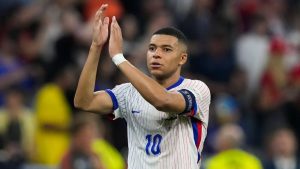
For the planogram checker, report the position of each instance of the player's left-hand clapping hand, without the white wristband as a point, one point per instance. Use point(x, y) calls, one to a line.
point(100, 28)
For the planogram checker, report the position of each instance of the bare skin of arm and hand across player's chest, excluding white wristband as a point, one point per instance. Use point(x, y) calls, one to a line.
point(153, 92)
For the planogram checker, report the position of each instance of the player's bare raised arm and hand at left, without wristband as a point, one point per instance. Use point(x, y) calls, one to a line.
point(85, 97)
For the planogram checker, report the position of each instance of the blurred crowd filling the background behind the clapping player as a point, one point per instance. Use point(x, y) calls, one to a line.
point(246, 51)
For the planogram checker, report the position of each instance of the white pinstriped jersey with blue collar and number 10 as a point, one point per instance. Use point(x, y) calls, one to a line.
point(157, 140)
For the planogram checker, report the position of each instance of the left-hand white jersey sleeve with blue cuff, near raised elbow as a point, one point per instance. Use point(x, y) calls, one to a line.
point(119, 96)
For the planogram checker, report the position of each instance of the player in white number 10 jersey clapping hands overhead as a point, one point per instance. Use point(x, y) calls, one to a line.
point(166, 114)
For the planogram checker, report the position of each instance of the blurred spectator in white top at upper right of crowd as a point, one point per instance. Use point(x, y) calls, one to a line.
point(252, 52)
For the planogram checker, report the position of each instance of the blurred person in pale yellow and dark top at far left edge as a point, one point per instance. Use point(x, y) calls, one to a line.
point(17, 128)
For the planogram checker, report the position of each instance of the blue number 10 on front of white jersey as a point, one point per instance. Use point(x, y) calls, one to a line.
point(153, 144)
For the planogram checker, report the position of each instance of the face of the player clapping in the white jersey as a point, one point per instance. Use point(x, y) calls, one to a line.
point(165, 55)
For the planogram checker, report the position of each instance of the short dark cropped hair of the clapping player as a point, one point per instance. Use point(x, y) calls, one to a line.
point(172, 32)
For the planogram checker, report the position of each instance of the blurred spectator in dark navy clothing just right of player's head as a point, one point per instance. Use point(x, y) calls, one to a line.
point(217, 63)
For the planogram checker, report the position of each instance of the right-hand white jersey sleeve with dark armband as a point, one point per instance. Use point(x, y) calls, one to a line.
point(200, 101)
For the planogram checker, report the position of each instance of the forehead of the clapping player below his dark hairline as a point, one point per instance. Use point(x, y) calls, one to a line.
point(164, 40)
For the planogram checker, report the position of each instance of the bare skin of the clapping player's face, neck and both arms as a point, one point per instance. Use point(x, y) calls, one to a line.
point(165, 57)
